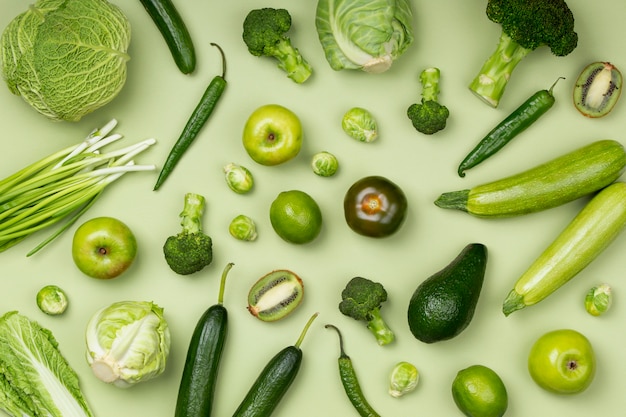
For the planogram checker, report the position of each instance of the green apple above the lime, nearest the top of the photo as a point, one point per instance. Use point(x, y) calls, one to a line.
point(272, 135)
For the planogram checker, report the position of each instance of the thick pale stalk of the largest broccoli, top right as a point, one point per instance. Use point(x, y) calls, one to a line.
point(490, 82)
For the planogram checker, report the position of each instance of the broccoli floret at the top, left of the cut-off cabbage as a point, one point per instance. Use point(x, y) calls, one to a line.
point(264, 32)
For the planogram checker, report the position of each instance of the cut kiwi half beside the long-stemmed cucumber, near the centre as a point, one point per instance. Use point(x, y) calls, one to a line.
point(275, 295)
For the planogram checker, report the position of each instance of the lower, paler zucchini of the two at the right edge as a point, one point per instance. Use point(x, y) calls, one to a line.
point(584, 238)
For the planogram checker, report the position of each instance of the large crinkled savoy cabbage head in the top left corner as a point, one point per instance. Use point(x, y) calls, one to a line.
point(66, 58)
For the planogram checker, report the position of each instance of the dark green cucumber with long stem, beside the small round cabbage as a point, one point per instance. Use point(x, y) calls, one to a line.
point(197, 385)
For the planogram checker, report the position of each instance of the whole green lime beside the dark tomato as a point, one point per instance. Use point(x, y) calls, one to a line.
point(296, 217)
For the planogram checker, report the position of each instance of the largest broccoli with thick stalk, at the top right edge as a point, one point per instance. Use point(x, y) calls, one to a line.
point(526, 25)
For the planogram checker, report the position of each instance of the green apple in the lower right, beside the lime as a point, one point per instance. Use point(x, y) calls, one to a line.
point(562, 361)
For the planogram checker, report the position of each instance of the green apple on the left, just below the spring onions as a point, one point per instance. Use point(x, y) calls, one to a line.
point(103, 247)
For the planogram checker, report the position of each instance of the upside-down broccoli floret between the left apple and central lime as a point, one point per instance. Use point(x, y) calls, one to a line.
point(190, 250)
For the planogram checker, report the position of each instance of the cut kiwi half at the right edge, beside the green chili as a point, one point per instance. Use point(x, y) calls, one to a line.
point(597, 89)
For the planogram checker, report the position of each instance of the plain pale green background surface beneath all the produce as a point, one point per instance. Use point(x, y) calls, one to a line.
point(157, 101)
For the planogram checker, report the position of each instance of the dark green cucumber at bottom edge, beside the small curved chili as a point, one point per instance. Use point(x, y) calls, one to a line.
point(274, 380)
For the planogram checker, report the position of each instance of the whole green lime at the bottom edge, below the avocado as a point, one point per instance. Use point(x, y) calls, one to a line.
point(479, 392)
